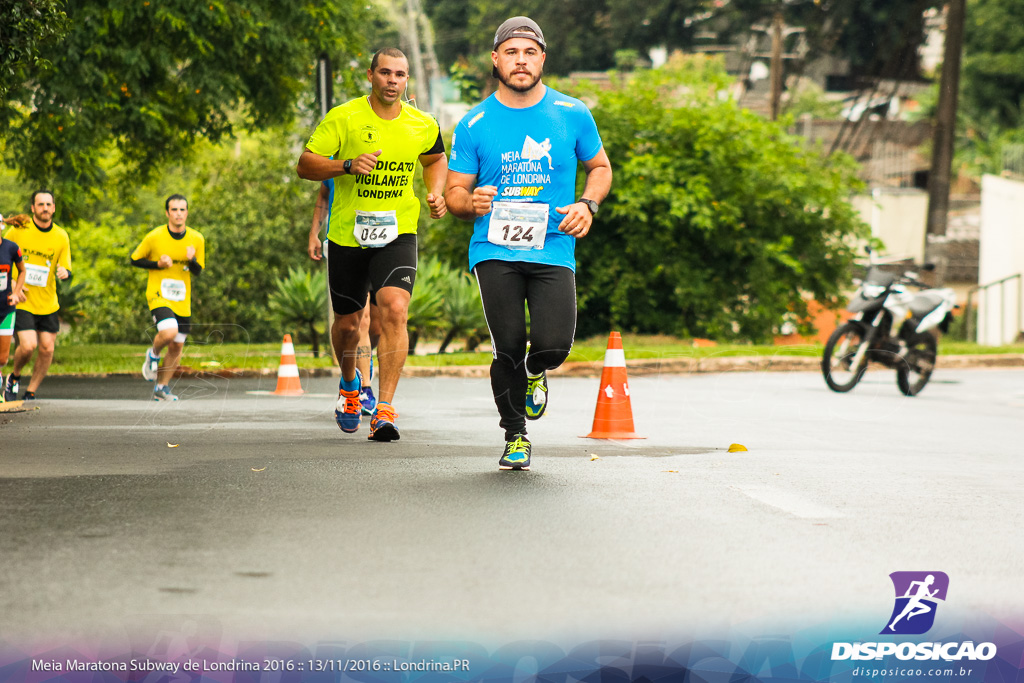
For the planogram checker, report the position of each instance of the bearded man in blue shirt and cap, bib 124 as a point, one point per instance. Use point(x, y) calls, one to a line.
point(514, 173)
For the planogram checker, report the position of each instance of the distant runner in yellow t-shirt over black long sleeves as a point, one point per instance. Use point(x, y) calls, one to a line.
point(174, 254)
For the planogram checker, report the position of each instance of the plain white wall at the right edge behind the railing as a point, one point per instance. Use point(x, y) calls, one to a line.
point(1001, 255)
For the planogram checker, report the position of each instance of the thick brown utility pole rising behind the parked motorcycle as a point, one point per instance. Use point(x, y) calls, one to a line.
point(946, 120)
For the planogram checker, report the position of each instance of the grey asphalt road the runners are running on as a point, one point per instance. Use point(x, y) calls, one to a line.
point(253, 517)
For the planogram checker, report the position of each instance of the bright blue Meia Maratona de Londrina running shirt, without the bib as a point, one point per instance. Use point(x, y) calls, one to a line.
point(531, 155)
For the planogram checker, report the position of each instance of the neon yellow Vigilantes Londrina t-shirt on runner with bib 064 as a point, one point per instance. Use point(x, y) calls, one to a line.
point(385, 198)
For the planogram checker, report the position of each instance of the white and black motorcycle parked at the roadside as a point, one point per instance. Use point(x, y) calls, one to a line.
point(895, 328)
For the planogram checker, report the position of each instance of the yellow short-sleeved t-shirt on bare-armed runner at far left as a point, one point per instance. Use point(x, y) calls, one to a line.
point(44, 252)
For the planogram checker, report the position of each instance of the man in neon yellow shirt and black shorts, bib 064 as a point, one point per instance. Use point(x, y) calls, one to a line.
point(370, 146)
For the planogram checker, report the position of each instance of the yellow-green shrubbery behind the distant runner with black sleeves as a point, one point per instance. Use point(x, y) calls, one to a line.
point(254, 215)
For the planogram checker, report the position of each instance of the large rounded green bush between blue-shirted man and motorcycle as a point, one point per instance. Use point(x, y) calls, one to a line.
point(719, 224)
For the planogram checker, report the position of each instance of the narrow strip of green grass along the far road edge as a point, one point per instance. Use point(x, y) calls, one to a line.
point(108, 359)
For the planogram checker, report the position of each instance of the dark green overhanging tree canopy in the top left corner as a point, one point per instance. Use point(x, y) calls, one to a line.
point(149, 78)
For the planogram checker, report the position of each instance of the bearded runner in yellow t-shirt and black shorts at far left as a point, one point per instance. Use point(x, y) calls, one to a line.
point(47, 253)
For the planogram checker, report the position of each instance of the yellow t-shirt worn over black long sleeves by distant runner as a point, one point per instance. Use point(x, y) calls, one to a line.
point(172, 287)
